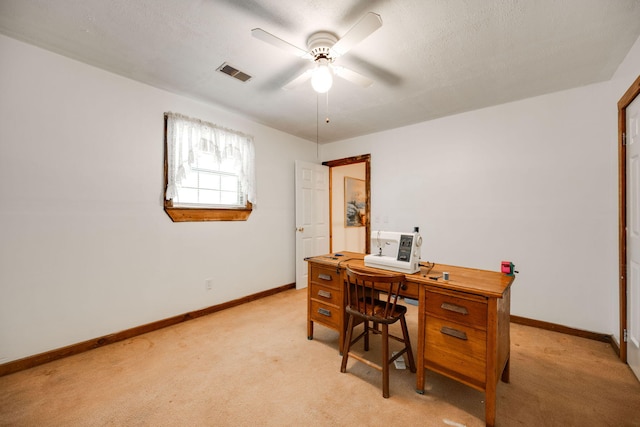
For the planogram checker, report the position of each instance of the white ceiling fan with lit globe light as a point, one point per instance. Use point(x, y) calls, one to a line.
point(323, 48)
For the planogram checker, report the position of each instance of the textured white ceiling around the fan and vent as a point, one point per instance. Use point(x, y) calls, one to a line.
point(431, 58)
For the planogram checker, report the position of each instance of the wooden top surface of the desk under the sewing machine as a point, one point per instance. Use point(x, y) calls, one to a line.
point(487, 283)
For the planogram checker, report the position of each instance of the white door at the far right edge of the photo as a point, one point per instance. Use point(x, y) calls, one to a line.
point(633, 236)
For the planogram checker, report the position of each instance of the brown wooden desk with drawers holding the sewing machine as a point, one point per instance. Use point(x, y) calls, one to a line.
point(463, 324)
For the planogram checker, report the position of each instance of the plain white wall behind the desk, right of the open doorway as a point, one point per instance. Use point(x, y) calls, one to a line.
point(533, 182)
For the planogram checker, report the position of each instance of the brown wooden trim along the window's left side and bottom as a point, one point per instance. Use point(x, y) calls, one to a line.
point(184, 214)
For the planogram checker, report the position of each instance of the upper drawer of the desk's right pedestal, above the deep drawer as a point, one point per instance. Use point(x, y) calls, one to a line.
point(465, 309)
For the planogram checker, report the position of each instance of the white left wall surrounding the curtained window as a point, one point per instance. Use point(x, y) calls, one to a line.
point(86, 248)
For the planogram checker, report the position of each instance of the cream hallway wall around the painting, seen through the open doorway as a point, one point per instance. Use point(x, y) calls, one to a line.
point(345, 238)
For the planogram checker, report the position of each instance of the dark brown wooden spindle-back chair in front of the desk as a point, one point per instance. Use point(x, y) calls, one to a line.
point(372, 298)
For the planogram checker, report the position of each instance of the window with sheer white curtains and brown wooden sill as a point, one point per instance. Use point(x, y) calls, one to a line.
point(209, 171)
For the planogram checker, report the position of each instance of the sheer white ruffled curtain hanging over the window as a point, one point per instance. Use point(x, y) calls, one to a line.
point(185, 135)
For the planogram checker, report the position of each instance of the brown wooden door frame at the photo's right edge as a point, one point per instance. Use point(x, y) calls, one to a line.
point(629, 96)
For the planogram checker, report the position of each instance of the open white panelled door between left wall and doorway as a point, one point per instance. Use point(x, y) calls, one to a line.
point(312, 216)
